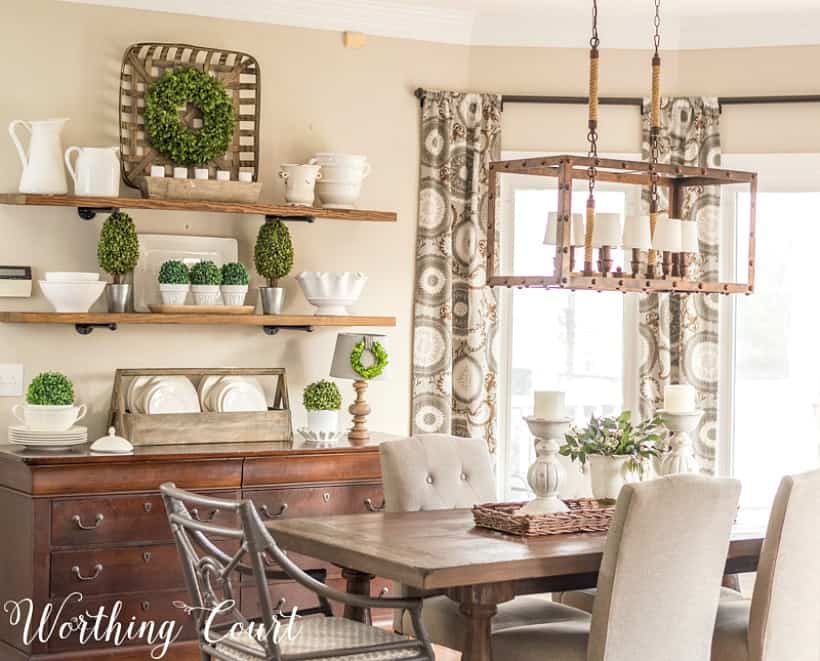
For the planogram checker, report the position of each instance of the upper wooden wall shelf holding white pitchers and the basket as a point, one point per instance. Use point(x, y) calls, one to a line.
point(88, 205)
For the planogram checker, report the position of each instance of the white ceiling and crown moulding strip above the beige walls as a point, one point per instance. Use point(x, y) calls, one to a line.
point(562, 23)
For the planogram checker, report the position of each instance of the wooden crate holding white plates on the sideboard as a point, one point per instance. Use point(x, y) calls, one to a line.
point(207, 427)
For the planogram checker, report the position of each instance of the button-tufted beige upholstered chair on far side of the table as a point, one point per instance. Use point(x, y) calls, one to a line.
point(434, 472)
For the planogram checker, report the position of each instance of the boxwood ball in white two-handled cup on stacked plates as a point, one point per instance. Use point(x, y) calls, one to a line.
point(49, 404)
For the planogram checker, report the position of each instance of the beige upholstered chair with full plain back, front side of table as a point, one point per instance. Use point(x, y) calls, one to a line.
point(657, 586)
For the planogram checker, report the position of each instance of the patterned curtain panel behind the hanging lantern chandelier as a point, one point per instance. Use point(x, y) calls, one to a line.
point(679, 332)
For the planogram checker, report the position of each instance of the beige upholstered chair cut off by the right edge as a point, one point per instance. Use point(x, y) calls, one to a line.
point(781, 622)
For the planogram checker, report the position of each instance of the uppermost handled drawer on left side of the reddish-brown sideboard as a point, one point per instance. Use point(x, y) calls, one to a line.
point(117, 519)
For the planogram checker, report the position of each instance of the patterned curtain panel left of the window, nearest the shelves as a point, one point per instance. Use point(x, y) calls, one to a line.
point(454, 358)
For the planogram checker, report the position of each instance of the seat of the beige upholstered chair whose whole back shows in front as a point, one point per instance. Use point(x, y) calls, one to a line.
point(565, 640)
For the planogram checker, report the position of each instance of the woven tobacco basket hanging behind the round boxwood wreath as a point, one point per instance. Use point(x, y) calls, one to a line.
point(143, 63)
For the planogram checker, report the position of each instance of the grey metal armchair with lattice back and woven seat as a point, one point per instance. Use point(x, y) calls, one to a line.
point(215, 557)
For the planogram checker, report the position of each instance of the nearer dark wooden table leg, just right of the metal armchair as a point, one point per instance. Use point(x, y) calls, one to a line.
point(479, 603)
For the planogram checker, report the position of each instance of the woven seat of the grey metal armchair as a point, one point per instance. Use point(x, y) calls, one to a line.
point(316, 634)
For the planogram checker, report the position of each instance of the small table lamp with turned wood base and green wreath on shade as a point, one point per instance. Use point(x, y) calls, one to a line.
point(360, 357)
